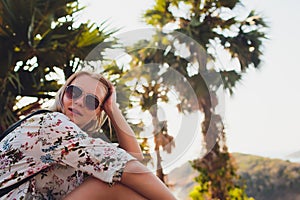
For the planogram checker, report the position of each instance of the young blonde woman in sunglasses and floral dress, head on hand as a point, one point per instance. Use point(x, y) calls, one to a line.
point(72, 164)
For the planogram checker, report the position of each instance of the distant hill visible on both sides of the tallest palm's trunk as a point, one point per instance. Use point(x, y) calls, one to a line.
point(266, 179)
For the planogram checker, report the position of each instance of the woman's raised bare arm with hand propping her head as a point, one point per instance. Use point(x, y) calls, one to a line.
point(125, 134)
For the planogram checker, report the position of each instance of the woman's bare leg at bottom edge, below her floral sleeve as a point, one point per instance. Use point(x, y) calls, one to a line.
point(93, 188)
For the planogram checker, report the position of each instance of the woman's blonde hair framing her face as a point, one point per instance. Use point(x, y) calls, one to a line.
point(93, 125)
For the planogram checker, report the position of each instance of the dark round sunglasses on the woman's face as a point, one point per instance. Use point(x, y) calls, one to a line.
point(91, 101)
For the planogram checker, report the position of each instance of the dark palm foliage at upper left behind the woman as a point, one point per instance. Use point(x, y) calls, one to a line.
point(37, 38)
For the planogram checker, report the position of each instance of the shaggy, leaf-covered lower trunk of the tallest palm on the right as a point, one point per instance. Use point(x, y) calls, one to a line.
point(217, 171)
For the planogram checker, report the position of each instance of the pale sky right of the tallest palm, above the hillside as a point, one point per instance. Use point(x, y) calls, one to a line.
point(263, 116)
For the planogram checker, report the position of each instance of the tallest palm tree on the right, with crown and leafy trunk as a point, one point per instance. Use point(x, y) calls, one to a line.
point(213, 25)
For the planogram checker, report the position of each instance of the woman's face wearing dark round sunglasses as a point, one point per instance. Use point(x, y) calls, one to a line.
point(82, 107)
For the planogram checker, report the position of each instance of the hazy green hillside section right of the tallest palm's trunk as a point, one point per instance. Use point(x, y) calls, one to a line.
point(269, 178)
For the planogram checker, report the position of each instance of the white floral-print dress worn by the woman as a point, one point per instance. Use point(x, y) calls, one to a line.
point(51, 144)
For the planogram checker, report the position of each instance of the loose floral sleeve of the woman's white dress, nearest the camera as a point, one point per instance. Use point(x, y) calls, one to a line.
point(61, 141)
